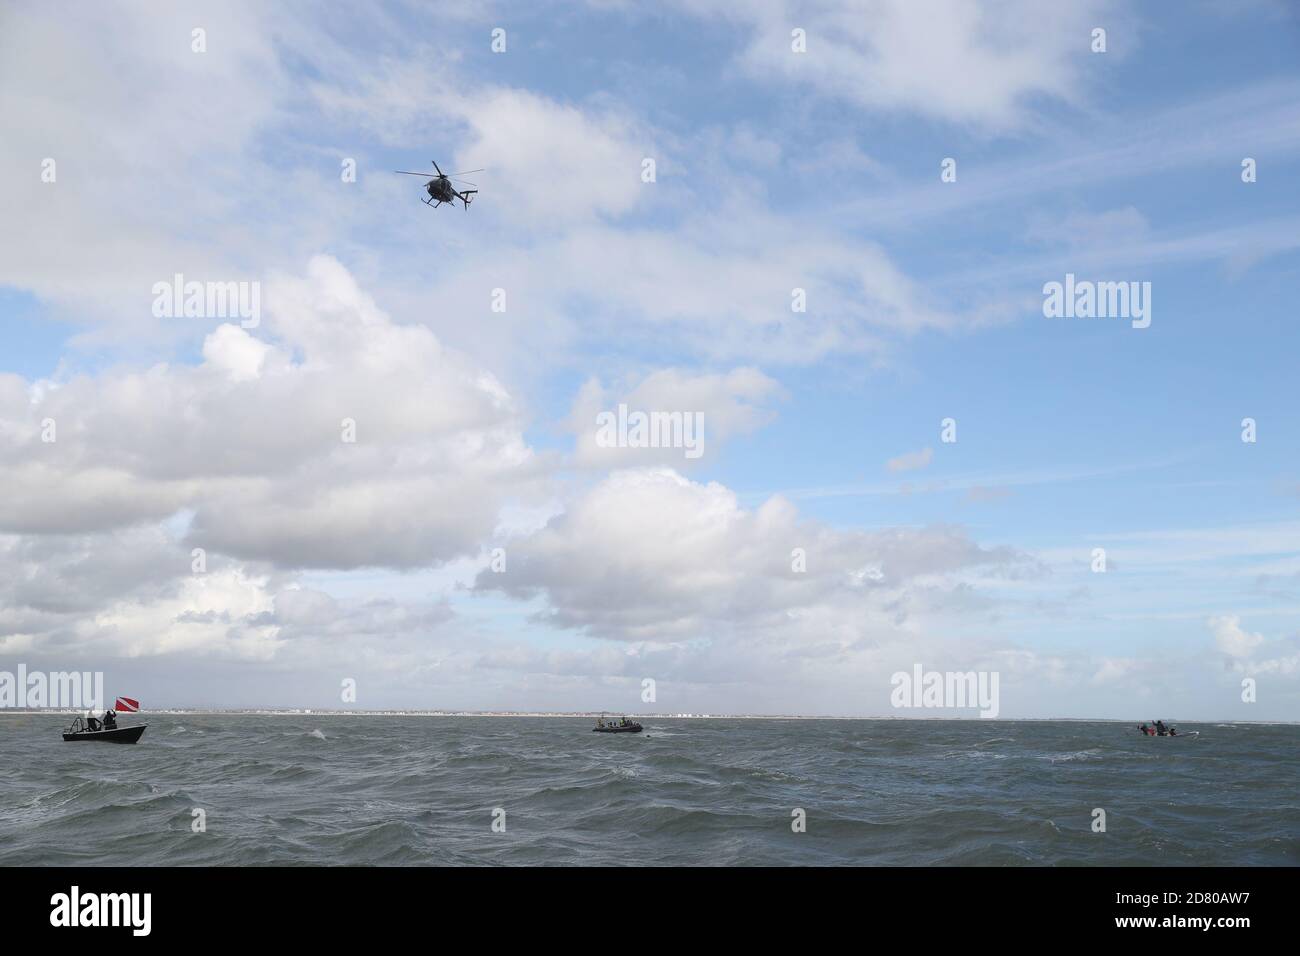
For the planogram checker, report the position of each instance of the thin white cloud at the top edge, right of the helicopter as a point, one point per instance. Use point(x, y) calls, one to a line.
point(985, 66)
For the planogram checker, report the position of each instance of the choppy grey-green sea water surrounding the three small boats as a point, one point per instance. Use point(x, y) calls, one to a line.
point(419, 790)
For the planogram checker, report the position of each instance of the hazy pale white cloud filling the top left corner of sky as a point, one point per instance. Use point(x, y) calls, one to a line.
point(148, 139)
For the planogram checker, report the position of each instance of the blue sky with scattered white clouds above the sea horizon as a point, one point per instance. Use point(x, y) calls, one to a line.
point(826, 232)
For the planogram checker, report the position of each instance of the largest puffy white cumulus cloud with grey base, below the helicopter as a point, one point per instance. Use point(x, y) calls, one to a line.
point(255, 443)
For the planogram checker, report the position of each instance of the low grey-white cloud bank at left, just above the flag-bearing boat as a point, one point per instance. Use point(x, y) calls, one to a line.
point(140, 592)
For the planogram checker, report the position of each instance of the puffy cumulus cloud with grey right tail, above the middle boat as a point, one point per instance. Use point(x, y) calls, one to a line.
point(649, 555)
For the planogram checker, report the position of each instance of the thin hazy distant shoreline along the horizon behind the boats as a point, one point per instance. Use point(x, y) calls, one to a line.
point(593, 715)
